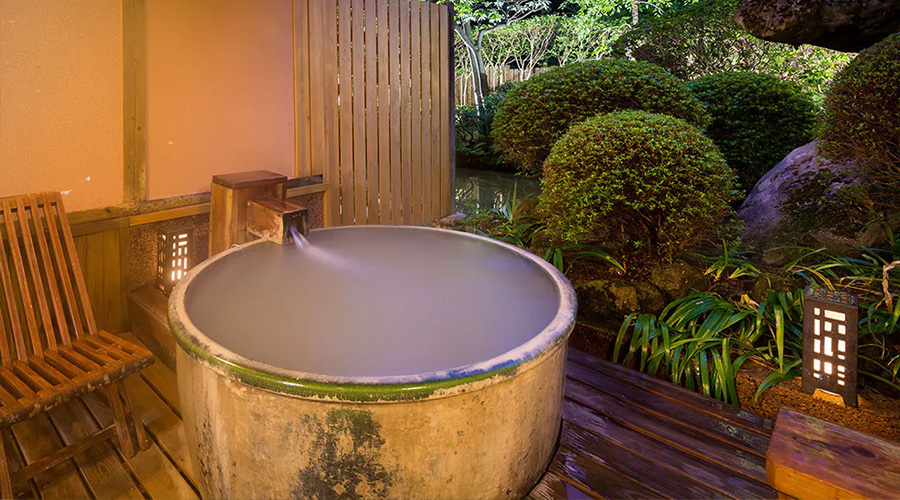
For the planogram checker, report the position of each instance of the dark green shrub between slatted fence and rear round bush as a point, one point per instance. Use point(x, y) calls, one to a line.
point(474, 146)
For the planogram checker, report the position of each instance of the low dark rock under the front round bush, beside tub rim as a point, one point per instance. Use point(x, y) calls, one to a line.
point(608, 301)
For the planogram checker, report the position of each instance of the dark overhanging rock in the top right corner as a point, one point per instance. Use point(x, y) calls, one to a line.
point(846, 25)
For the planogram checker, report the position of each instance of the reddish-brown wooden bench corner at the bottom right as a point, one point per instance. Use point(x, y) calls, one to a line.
point(813, 458)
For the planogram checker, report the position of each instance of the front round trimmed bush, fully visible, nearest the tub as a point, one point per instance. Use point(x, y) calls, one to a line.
point(635, 181)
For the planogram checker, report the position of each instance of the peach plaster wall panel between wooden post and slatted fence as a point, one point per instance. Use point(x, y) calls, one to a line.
point(220, 91)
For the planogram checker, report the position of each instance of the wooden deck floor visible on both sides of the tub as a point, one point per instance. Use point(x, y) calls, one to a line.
point(623, 437)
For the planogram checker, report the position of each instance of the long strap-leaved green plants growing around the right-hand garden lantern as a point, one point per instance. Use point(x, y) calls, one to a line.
point(702, 340)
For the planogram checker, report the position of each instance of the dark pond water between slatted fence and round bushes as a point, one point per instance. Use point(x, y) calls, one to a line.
point(481, 190)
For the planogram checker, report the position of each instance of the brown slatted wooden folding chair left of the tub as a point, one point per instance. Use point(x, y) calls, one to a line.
point(50, 348)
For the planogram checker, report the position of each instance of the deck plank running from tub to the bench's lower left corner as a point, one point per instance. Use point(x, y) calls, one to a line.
point(681, 463)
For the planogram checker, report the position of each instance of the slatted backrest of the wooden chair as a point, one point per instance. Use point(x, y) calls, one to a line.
point(44, 300)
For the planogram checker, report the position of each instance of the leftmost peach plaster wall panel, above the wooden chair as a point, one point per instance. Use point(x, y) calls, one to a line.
point(61, 99)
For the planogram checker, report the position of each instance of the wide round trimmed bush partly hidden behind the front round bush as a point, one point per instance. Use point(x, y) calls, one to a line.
point(538, 112)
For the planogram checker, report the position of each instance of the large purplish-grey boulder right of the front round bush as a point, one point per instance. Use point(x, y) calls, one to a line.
point(807, 200)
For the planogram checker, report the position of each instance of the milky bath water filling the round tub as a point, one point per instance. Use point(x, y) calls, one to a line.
point(373, 302)
